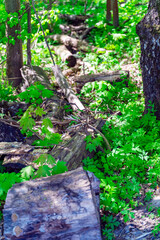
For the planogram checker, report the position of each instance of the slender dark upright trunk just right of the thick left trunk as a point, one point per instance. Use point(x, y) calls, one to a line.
point(28, 10)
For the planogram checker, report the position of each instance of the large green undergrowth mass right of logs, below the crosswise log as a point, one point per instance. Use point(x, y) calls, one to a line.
point(135, 142)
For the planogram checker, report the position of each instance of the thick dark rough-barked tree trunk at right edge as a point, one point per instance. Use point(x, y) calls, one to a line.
point(148, 30)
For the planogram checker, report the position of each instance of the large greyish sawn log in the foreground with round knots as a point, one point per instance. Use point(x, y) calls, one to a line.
point(58, 207)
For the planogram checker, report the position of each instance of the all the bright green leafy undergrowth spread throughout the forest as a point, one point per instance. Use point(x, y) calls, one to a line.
point(134, 137)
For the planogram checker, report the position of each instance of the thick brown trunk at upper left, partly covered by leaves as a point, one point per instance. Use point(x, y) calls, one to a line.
point(14, 49)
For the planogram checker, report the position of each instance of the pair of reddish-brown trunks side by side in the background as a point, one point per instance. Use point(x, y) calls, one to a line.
point(112, 5)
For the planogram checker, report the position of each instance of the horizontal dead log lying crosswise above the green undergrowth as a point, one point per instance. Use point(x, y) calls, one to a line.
point(80, 81)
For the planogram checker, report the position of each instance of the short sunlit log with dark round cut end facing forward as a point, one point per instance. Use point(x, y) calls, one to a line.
point(65, 55)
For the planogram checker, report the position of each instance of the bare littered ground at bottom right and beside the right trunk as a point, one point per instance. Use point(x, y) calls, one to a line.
point(141, 226)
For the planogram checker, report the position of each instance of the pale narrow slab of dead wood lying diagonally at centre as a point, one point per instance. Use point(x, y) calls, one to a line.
point(67, 90)
